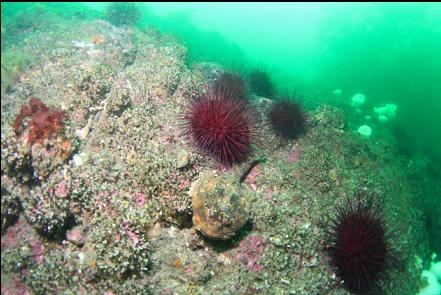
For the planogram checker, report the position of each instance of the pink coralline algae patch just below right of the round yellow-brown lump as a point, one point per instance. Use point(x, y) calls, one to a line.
point(250, 252)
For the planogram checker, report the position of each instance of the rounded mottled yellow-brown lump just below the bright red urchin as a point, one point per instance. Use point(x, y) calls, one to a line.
point(218, 205)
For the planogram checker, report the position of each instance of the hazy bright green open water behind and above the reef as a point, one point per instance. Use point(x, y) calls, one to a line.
point(326, 52)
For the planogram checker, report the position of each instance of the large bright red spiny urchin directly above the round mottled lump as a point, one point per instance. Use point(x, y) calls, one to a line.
point(220, 125)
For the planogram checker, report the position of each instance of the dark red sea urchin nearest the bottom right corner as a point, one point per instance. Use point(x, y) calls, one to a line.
point(358, 246)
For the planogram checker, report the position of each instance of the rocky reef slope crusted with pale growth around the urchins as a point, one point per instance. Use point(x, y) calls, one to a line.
point(104, 207)
